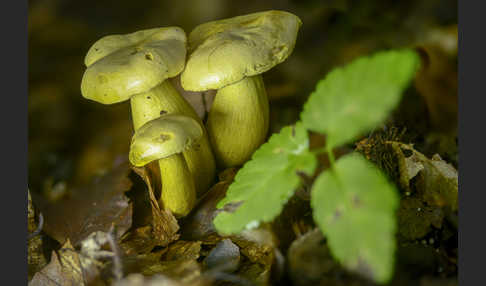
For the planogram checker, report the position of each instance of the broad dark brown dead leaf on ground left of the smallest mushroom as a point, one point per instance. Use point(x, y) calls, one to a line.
point(94, 207)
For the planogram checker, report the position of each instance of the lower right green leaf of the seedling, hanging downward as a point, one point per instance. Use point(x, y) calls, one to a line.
point(354, 206)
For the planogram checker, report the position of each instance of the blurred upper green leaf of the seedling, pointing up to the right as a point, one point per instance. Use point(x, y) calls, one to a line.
point(354, 99)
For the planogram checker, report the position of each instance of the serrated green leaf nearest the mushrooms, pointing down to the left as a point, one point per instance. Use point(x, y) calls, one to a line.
point(267, 181)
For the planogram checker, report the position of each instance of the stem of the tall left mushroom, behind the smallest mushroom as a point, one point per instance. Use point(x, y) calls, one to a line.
point(164, 99)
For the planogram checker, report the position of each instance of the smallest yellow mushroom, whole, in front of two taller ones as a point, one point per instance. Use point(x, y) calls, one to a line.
point(164, 139)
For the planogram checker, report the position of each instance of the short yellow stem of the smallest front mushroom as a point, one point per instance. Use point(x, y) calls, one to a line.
point(178, 190)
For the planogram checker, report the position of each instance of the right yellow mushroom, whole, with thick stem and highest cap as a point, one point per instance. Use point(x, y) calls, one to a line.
point(230, 55)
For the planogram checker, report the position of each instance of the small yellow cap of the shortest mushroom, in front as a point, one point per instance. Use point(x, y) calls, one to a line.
point(162, 137)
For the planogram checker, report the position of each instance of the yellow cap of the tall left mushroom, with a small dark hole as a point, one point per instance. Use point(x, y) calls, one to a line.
point(120, 66)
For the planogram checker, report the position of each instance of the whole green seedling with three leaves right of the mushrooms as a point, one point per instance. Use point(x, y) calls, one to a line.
point(353, 202)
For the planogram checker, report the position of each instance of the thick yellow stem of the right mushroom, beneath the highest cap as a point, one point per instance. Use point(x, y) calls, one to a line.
point(238, 121)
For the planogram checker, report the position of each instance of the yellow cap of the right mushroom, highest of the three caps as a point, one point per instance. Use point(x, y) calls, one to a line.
point(224, 52)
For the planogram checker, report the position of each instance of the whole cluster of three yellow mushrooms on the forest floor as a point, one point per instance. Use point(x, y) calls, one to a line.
point(226, 55)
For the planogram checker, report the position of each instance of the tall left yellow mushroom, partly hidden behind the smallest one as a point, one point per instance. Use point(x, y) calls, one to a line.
point(136, 66)
